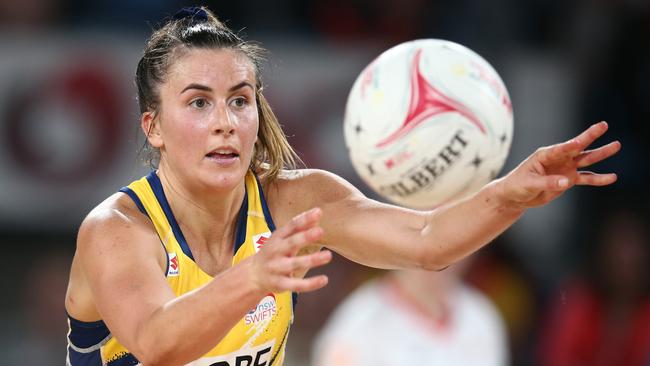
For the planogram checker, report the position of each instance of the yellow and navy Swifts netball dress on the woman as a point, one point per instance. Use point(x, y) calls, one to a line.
point(257, 339)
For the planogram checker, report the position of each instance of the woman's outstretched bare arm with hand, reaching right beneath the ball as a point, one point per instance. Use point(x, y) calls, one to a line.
point(386, 236)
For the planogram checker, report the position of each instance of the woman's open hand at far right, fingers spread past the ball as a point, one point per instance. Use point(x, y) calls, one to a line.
point(551, 170)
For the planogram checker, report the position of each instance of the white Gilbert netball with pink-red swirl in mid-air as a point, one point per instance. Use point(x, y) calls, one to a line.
point(428, 121)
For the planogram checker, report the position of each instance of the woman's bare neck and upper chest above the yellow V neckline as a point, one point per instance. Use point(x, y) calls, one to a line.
point(207, 218)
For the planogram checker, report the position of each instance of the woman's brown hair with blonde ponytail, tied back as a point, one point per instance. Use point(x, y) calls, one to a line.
point(200, 28)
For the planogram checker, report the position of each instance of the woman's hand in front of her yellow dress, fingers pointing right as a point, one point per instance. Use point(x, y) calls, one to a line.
point(273, 267)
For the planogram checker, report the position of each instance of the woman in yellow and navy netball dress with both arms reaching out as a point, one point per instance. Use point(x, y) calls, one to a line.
point(180, 266)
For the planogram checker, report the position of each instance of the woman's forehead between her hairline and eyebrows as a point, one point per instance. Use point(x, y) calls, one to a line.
point(217, 68)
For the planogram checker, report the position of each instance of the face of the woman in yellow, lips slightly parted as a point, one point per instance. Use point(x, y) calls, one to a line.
point(208, 118)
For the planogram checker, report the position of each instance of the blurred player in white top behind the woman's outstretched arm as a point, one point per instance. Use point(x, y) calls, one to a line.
point(414, 317)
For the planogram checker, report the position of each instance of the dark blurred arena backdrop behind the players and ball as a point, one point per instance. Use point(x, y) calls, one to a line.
point(570, 280)
